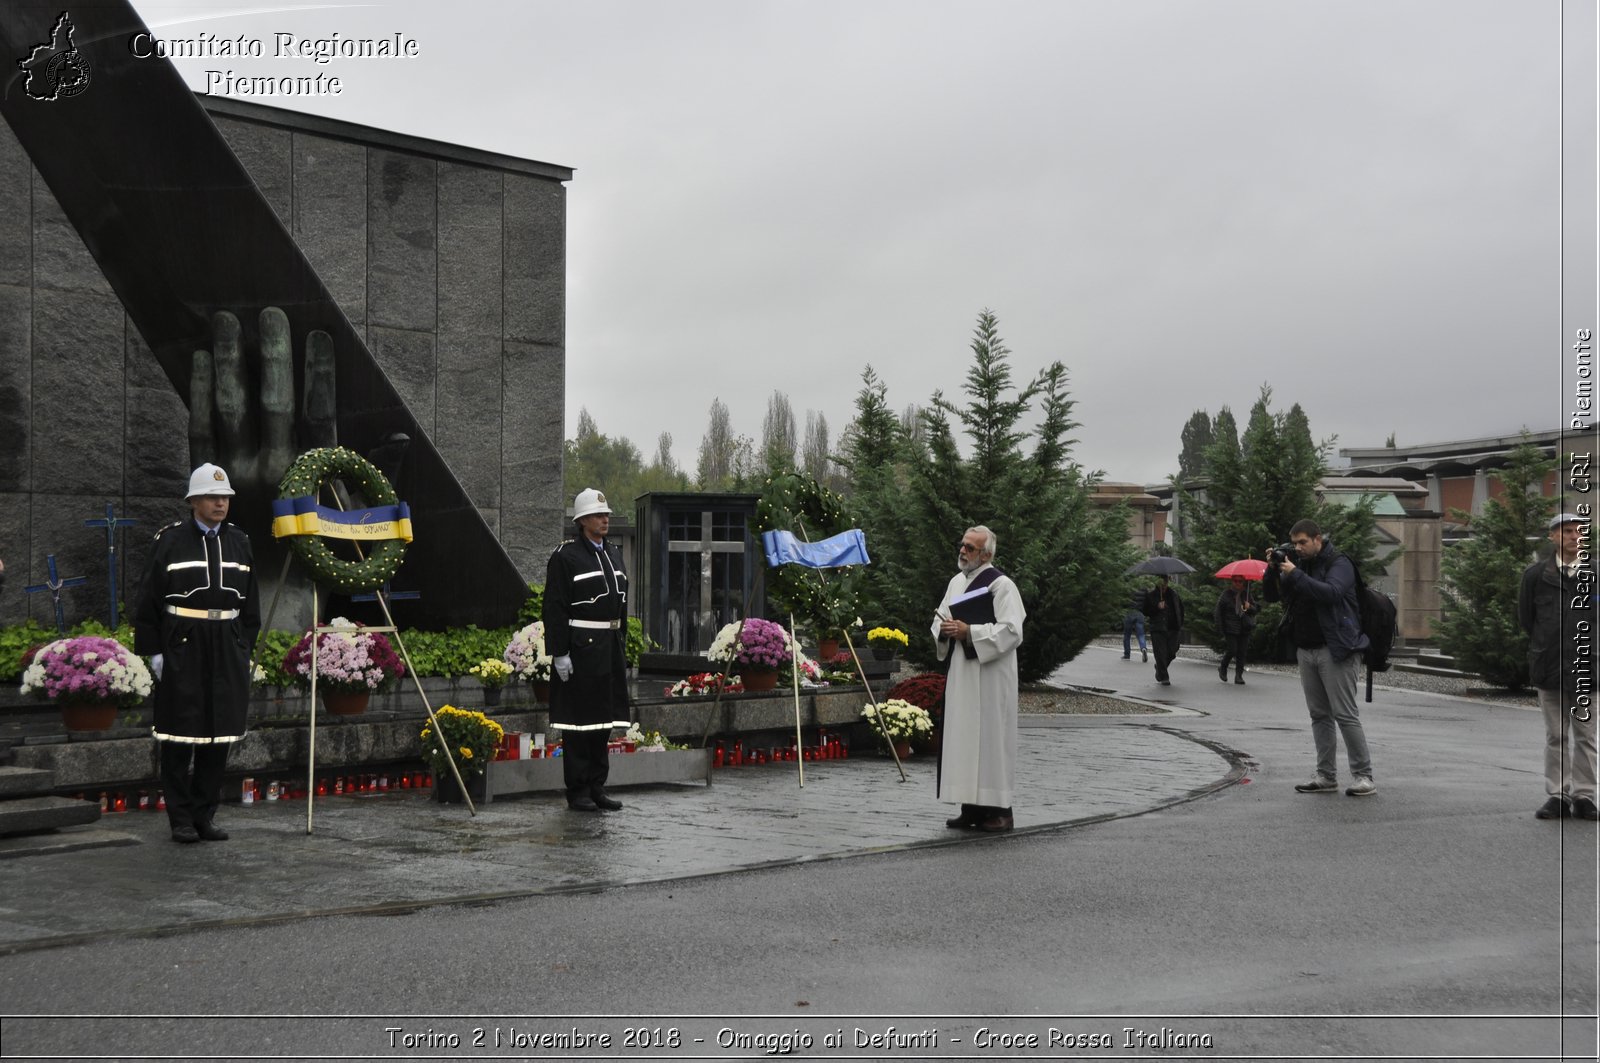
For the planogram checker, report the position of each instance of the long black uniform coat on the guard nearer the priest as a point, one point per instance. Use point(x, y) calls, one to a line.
point(585, 584)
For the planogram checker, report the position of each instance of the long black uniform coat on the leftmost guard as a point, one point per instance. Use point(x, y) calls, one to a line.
point(204, 694)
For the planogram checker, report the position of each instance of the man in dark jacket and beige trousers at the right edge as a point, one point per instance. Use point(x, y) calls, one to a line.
point(1556, 606)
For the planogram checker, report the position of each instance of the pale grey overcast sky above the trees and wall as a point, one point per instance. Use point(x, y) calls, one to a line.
point(1353, 203)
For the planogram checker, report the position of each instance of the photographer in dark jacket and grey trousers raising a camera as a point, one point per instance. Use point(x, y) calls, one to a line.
point(1326, 627)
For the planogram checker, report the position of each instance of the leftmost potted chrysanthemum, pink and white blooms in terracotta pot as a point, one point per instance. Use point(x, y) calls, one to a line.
point(89, 680)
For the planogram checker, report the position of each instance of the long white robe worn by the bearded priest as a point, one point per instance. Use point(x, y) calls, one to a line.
point(978, 758)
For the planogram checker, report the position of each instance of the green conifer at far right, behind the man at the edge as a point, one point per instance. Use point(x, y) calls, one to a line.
point(1482, 576)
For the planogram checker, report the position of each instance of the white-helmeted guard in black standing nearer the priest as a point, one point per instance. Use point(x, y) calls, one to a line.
point(585, 633)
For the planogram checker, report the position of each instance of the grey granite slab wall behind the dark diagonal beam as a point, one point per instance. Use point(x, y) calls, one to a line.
point(449, 262)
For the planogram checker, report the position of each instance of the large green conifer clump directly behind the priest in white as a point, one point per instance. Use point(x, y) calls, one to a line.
point(916, 502)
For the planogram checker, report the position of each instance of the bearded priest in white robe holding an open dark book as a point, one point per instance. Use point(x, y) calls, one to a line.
point(978, 627)
